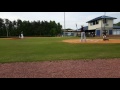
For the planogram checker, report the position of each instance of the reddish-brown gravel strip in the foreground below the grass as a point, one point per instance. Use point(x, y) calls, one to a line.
point(62, 69)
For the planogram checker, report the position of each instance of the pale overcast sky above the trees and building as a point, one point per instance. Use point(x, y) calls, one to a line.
point(71, 18)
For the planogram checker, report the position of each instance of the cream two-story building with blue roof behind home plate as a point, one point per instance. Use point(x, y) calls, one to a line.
point(99, 24)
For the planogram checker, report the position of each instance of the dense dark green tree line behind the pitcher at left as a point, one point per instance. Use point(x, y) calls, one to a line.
point(34, 28)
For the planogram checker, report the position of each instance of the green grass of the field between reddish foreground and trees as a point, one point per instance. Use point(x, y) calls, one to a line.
point(52, 48)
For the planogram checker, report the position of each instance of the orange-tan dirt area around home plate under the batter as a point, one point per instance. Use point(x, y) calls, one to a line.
point(92, 41)
